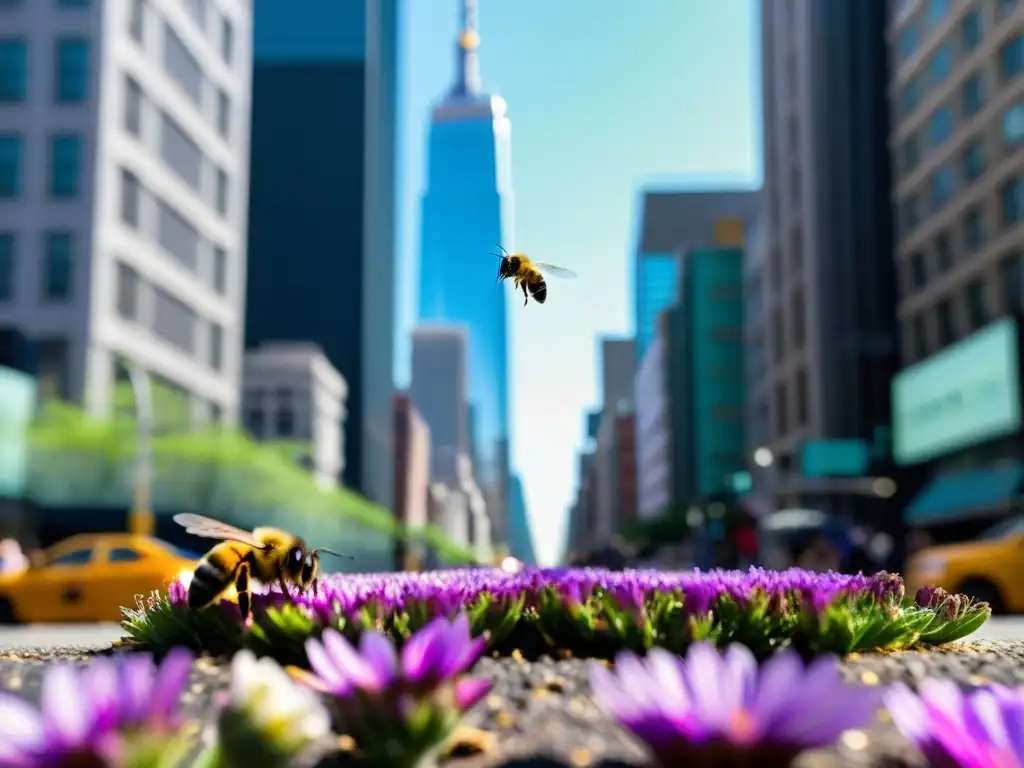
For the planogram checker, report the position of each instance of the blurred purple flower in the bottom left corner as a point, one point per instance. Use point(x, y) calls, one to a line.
point(86, 714)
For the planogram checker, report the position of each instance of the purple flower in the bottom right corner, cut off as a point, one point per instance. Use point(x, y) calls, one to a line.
point(953, 730)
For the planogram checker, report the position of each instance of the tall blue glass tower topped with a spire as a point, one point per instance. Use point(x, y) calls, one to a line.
point(466, 212)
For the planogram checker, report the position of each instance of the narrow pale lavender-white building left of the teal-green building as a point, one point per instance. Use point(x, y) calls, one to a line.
point(654, 431)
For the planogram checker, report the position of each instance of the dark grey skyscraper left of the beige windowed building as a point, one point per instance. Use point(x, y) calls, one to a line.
point(827, 233)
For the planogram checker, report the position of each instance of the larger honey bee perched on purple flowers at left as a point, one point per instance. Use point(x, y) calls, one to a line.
point(266, 554)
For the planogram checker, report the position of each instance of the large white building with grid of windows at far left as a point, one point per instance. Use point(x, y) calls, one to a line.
point(124, 154)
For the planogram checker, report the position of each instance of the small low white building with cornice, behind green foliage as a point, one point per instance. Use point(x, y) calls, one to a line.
point(292, 393)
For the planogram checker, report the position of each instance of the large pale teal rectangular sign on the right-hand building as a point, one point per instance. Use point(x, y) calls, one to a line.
point(967, 395)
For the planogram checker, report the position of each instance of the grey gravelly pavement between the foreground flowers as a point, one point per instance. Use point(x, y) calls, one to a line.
point(540, 713)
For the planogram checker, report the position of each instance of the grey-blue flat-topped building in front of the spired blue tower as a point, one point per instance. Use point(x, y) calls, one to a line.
point(439, 394)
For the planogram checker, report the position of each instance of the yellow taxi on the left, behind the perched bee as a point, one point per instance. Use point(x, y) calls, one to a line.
point(90, 577)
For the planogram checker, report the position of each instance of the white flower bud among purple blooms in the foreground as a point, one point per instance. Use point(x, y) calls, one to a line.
point(284, 713)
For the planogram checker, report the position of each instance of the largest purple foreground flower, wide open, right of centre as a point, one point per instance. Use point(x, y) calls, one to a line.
point(712, 705)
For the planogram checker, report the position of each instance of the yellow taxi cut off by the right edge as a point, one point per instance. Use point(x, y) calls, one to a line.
point(988, 569)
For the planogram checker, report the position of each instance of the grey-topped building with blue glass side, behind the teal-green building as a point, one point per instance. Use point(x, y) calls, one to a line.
point(672, 224)
